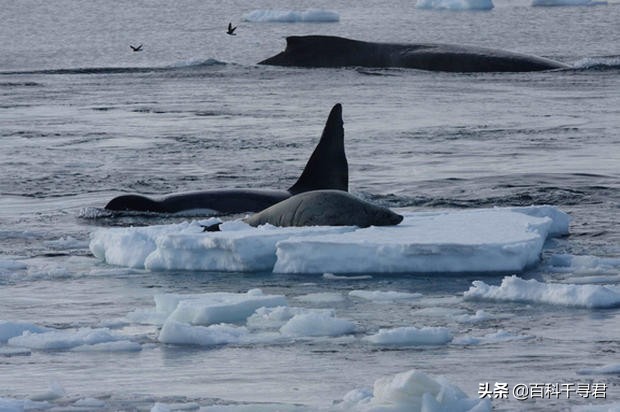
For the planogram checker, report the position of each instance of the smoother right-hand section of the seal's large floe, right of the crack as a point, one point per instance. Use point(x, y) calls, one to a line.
point(480, 240)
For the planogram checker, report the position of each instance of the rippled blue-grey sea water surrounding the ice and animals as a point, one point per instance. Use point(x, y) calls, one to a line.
point(82, 119)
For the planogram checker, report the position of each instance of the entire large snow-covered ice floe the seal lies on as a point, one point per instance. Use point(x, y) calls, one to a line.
point(481, 240)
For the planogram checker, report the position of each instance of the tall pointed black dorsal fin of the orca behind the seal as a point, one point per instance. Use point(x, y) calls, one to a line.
point(327, 167)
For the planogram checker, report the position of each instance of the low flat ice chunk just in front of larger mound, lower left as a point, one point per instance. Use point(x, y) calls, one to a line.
point(179, 333)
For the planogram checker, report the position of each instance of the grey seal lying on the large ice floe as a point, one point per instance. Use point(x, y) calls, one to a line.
point(325, 208)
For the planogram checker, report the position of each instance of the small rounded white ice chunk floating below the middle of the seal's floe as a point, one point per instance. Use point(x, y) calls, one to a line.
point(314, 324)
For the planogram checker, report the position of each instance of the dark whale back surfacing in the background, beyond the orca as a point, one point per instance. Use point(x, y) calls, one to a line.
point(330, 51)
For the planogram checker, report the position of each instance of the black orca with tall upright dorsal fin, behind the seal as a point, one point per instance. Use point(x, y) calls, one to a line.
point(327, 168)
